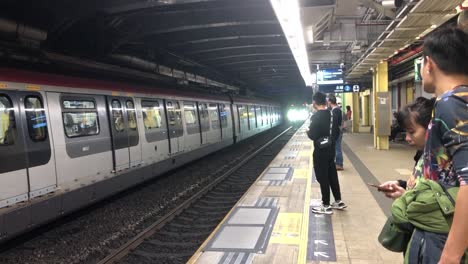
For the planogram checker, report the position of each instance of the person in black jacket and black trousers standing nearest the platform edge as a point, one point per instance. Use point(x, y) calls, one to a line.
point(324, 157)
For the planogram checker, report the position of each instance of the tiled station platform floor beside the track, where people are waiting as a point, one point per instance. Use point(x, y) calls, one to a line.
point(273, 221)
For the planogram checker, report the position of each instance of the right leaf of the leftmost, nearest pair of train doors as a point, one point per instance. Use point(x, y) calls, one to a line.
point(41, 165)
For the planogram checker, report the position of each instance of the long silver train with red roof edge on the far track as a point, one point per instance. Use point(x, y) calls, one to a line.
point(67, 142)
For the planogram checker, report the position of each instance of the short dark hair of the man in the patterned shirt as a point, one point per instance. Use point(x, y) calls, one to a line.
point(448, 47)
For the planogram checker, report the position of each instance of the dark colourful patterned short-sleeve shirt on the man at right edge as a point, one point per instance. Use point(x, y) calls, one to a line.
point(445, 157)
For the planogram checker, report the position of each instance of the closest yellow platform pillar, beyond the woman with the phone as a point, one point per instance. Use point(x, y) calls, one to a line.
point(380, 84)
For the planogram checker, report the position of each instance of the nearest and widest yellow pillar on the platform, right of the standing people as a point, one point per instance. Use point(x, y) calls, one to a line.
point(380, 85)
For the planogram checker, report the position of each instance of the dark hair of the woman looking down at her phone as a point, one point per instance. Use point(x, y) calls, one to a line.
point(420, 111)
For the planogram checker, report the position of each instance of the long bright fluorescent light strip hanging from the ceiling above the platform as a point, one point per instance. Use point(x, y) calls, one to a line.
point(288, 14)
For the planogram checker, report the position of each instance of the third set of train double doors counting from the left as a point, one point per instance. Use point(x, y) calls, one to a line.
point(175, 127)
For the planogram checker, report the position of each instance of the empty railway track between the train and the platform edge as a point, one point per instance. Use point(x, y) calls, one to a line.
point(174, 237)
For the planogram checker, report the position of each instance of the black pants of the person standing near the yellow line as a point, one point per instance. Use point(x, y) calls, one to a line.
point(327, 177)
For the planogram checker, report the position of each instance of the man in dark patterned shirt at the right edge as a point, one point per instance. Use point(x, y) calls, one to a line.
point(445, 73)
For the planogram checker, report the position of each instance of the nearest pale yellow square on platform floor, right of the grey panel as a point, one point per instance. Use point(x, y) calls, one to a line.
point(287, 229)
